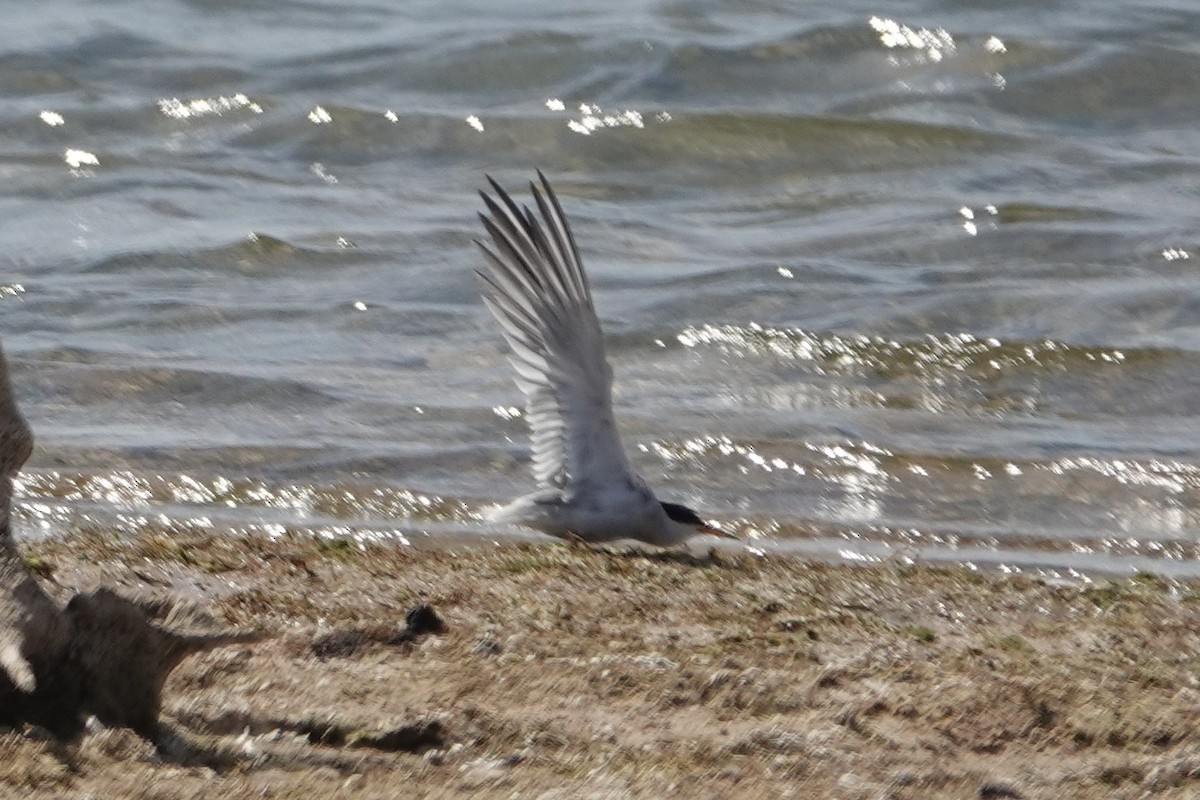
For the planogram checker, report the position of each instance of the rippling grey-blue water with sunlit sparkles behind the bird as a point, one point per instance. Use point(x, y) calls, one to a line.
point(877, 288)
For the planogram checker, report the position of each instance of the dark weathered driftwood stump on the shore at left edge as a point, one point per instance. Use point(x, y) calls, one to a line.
point(103, 655)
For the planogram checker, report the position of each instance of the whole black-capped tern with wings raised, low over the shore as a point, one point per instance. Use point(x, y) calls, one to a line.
point(537, 290)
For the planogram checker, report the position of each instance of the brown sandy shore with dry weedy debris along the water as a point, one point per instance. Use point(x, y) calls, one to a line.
point(567, 673)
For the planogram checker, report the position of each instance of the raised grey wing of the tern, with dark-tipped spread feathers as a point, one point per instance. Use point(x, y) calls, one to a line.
point(541, 296)
